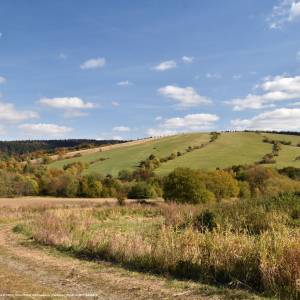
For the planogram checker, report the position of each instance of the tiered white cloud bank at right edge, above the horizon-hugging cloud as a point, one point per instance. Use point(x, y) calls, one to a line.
point(275, 89)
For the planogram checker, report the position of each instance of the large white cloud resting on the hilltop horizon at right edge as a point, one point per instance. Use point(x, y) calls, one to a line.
point(278, 119)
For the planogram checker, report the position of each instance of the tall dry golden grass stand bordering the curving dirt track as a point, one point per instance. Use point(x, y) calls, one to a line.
point(153, 239)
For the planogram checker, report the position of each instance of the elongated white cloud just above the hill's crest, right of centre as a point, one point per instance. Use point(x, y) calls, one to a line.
point(190, 122)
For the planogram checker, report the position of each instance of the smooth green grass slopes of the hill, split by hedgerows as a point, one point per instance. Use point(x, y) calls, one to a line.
point(229, 149)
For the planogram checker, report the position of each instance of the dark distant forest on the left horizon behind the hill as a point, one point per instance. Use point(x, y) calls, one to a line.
point(15, 148)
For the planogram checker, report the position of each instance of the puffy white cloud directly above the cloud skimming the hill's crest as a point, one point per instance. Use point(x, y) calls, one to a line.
point(185, 97)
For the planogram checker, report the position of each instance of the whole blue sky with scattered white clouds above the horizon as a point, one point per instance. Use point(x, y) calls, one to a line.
point(128, 69)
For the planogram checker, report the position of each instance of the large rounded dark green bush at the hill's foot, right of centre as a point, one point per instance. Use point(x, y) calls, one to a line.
point(185, 186)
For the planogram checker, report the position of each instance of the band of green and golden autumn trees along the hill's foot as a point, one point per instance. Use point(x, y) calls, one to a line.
point(182, 185)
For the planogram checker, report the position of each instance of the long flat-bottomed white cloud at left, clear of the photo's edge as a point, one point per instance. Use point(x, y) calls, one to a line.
point(67, 103)
